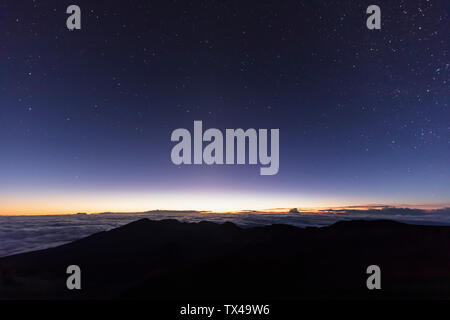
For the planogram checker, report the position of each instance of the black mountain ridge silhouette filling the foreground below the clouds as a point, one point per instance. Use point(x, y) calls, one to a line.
point(169, 259)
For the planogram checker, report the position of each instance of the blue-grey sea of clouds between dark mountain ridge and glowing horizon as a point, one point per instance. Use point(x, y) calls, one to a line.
point(28, 233)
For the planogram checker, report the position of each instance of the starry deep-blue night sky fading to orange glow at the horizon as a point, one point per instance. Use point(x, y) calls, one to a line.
point(86, 115)
